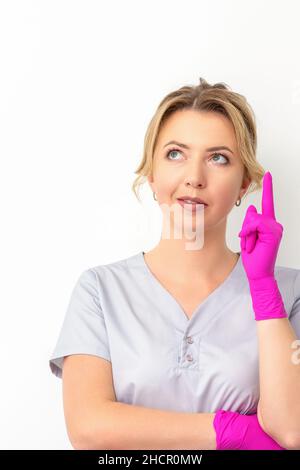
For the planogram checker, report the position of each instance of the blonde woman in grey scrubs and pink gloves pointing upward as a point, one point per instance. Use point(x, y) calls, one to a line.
point(188, 346)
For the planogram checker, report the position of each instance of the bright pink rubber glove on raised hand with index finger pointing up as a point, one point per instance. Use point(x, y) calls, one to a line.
point(260, 238)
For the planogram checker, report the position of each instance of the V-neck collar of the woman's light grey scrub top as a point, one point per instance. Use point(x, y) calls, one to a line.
point(214, 301)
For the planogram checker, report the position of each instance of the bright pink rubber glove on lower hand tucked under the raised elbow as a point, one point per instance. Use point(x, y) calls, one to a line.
point(235, 431)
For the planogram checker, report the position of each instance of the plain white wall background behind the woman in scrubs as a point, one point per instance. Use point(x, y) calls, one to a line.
point(79, 83)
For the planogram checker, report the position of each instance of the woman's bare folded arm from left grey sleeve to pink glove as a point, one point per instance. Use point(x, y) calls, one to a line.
point(96, 420)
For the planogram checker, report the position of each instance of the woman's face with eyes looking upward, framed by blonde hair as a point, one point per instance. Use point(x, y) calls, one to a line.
point(214, 176)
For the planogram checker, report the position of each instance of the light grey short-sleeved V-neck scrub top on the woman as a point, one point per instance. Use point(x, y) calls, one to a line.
point(160, 358)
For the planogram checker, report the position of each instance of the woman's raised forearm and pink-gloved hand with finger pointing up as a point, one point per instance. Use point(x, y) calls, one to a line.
point(279, 404)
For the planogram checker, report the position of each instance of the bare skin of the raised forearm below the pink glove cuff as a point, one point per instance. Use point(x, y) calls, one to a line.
point(279, 402)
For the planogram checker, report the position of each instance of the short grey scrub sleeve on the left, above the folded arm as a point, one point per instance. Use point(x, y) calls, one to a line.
point(83, 330)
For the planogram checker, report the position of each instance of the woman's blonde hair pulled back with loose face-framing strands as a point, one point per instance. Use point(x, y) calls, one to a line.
point(206, 97)
